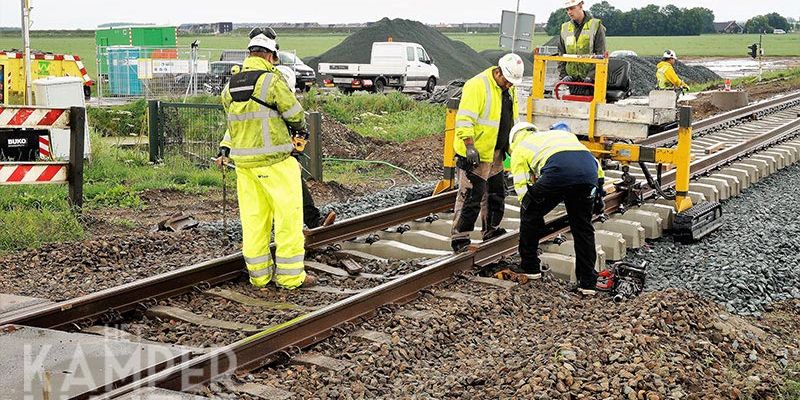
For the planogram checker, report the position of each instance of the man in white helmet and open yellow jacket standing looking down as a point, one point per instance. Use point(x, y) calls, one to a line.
point(487, 111)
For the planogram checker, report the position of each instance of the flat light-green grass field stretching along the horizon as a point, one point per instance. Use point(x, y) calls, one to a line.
point(312, 45)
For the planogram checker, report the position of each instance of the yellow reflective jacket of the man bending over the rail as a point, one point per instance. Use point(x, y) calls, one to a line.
point(530, 154)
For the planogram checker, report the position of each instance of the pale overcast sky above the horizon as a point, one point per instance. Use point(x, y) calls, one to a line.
point(87, 14)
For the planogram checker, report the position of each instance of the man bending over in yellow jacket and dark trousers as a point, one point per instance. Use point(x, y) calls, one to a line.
point(548, 168)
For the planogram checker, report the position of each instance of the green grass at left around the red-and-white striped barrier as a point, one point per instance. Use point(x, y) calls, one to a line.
point(34, 215)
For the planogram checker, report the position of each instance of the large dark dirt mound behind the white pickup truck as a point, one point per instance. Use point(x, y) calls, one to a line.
point(454, 59)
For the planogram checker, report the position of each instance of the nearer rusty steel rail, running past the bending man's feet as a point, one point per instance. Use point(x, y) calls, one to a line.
point(269, 346)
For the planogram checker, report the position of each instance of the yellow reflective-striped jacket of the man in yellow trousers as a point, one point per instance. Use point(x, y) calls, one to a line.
point(258, 135)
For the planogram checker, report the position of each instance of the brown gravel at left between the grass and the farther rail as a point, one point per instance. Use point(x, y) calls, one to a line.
point(61, 271)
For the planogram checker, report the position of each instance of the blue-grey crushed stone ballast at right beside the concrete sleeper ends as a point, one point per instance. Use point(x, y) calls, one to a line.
point(749, 263)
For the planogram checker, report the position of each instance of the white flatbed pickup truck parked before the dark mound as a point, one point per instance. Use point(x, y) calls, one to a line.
point(392, 64)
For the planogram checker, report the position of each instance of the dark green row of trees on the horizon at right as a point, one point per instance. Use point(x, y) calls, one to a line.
point(670, 20)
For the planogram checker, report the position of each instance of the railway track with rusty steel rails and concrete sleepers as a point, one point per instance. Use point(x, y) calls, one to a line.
point(417, 231)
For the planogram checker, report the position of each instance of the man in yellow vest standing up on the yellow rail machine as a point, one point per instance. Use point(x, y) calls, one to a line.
point(581, 35)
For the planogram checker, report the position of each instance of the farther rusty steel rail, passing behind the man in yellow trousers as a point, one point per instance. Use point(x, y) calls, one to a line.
point(128, 297)
